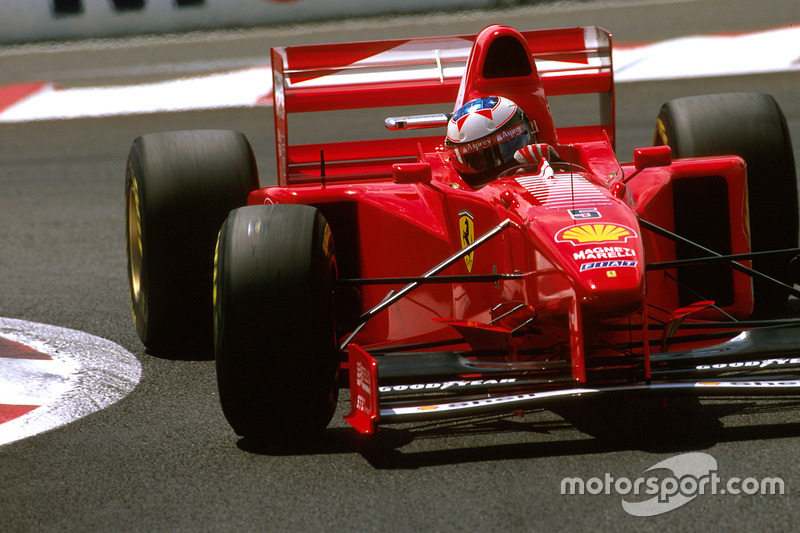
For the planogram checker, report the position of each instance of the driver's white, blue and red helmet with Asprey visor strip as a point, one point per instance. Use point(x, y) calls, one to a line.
point(483, 136)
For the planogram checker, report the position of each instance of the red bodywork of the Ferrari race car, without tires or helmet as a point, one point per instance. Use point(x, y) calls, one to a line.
point(561, 285)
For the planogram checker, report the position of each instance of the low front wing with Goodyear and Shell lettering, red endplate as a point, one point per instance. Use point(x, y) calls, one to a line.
point(396, 388)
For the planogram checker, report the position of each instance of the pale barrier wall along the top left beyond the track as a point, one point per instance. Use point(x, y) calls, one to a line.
point(36, 20)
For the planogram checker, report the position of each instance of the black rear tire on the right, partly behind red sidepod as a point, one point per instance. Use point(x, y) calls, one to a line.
point(752, 126)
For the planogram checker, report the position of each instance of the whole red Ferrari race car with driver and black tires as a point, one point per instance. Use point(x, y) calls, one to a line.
point(496, 264)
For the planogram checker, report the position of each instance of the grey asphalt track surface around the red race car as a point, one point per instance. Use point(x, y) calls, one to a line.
point(164, 459)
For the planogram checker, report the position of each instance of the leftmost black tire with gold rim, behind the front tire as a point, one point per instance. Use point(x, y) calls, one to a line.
point(179, 187)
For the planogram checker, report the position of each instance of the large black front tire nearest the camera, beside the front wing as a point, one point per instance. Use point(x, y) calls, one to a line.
point(275, 339)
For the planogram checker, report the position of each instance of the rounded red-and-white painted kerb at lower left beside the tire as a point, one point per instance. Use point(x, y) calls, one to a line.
point(75, 374)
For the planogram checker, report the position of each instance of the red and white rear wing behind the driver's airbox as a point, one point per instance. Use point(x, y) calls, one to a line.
point(409, 72)
